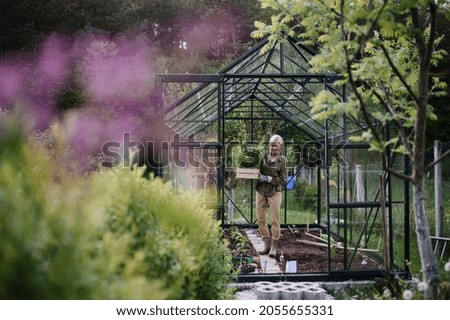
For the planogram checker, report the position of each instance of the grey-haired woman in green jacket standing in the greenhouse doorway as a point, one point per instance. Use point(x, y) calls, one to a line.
point(272, 178)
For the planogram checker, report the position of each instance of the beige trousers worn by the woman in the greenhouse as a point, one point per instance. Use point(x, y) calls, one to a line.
point(274, 204)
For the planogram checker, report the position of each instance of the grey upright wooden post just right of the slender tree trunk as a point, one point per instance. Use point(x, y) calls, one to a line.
point(438, 203)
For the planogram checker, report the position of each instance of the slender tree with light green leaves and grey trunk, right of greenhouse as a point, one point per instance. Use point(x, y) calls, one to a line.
point(385, 51)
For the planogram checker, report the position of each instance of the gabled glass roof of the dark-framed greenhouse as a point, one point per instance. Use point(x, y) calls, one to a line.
point(277, 77)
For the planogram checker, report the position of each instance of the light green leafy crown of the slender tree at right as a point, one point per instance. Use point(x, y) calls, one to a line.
point(374, 48)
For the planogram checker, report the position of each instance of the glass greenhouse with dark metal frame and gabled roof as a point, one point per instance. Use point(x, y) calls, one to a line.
point(334, 185)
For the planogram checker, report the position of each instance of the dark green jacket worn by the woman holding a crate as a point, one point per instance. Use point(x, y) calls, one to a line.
point(277, 170)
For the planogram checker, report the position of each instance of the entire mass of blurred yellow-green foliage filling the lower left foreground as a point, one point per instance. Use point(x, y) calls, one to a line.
point(113, 235)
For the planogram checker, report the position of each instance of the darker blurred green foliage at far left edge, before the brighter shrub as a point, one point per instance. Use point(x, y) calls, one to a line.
point(48, 235)
